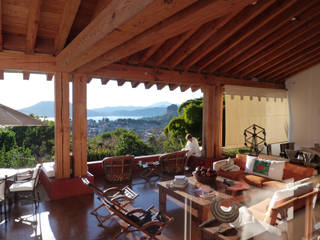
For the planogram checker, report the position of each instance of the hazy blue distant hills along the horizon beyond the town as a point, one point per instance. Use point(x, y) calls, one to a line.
point(157, 109)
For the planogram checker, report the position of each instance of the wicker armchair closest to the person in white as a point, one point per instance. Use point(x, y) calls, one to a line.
point(173, 163)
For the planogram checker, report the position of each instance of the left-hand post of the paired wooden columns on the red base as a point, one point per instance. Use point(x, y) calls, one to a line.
point(62, 125)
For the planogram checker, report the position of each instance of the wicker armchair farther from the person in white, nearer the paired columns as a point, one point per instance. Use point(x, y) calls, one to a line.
point(118, 169)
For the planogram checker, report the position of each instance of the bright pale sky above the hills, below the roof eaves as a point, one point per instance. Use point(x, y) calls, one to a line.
point(18, 93)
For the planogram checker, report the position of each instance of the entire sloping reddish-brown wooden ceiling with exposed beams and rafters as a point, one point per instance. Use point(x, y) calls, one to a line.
point(184, 43)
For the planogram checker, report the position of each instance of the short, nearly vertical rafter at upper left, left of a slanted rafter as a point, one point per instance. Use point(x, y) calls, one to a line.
point(33, 24)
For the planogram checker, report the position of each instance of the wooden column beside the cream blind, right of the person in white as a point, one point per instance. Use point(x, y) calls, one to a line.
point(212, 121)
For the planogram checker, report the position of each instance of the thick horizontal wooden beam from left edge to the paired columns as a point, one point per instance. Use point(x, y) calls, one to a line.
point(33, 63)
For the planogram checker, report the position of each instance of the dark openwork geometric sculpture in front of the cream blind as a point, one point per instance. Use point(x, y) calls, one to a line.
point(255, 136)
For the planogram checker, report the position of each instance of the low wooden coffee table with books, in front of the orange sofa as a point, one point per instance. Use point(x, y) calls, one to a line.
point(201, 205)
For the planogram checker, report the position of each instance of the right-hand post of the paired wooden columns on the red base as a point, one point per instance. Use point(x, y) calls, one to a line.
point(79, 125)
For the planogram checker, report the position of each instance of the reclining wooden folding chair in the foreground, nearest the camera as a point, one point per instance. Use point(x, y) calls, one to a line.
point(150, 222)
